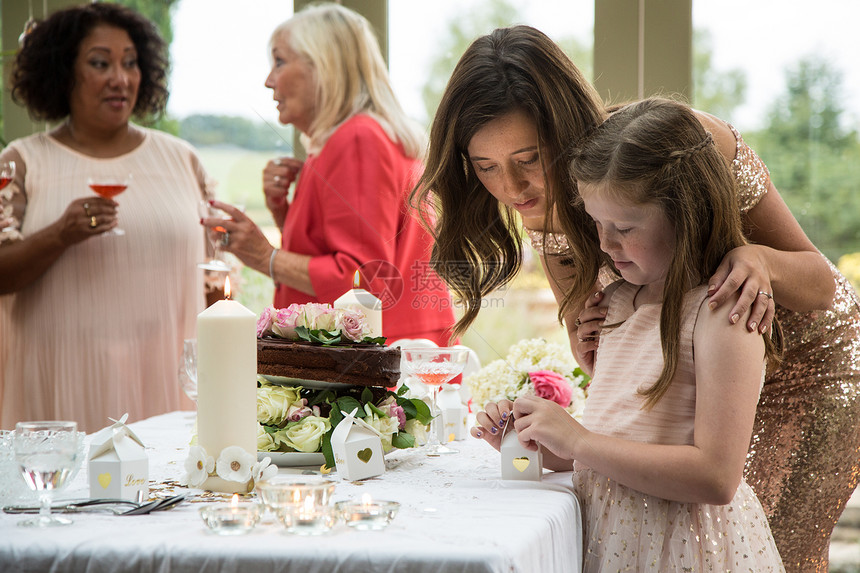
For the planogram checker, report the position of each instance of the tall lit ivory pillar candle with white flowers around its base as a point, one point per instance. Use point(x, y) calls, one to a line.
point(226, 382)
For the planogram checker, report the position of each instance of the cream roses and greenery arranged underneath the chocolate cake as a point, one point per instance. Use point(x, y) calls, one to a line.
point(298, 419)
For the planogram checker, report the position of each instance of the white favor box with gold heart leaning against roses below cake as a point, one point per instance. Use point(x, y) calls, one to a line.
point(357, 449)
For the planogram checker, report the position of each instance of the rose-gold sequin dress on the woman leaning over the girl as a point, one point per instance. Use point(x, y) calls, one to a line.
point(804, 456)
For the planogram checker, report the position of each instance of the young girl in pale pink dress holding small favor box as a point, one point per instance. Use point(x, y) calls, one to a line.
point(658, 459)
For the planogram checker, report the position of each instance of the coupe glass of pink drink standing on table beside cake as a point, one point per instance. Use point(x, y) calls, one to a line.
point(434, 367)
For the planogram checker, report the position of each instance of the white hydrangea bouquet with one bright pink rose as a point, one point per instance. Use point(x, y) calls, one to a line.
point(532, 366)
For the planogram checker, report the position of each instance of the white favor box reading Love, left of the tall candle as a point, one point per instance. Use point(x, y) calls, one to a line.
point(118, 466)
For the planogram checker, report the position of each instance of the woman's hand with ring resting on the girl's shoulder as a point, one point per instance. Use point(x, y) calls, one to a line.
point(744, 270)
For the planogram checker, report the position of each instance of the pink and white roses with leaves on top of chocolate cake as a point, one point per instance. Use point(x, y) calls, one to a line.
point(317, 323)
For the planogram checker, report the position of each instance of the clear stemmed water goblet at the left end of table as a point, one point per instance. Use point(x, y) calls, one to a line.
point(46, 454)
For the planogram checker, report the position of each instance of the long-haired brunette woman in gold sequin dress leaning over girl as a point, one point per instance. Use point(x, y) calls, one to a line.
point(501, 138)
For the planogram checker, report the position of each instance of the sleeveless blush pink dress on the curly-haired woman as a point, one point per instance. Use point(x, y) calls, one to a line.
point(100, 333)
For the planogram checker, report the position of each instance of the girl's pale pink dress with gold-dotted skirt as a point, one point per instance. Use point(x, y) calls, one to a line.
point(627, 530)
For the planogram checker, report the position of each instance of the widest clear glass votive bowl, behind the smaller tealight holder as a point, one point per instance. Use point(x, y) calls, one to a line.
point(284, 493)
